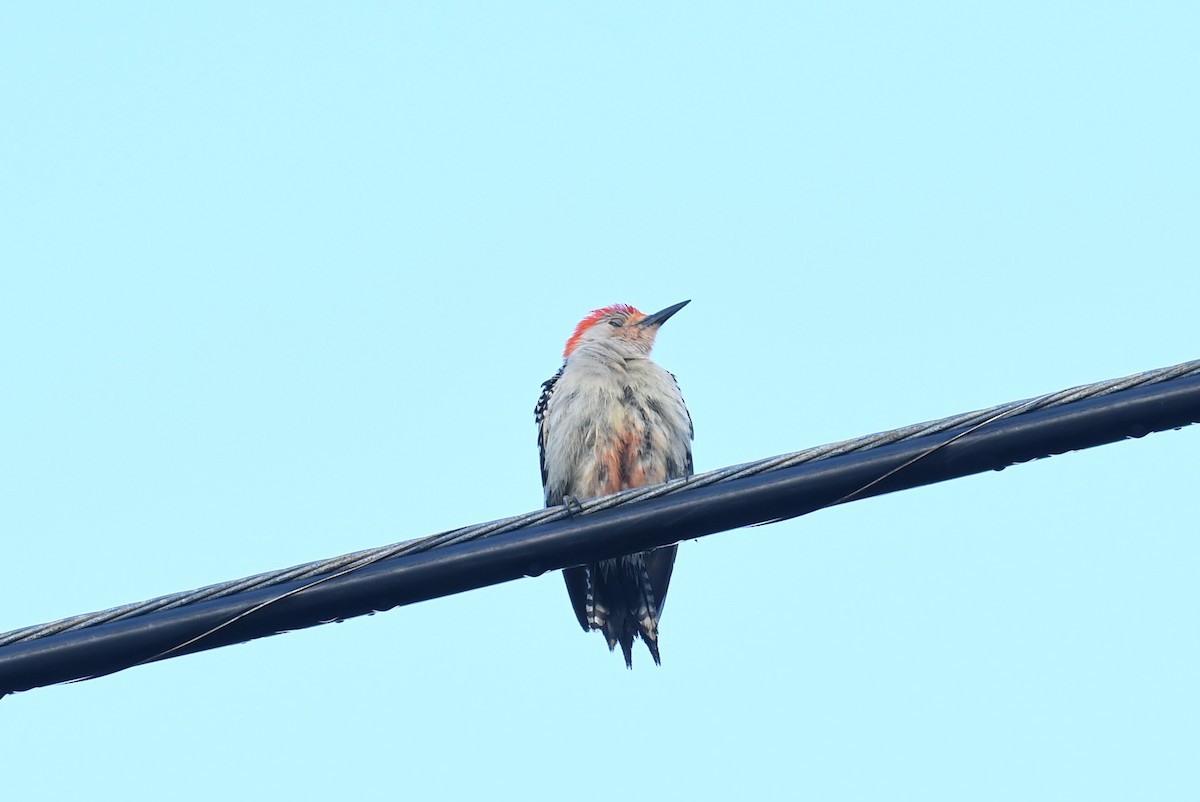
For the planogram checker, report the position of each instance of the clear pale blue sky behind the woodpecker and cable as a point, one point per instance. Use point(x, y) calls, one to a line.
point(280, 282)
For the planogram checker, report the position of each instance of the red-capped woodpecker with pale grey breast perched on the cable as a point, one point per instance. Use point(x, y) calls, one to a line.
point(613, 420)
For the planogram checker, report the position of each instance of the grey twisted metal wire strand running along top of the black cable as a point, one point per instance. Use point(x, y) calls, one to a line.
point(969, 422)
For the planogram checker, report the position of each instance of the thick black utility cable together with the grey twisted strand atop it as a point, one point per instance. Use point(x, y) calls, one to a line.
point(769, 490)
